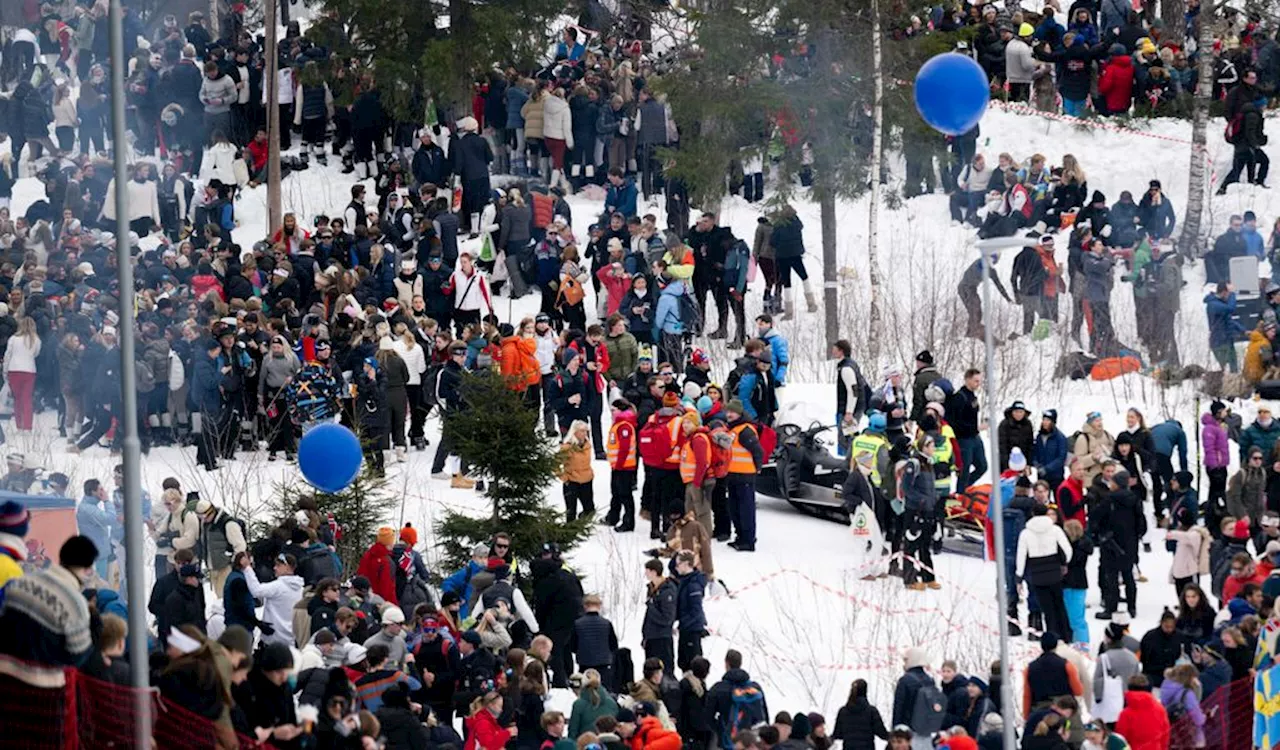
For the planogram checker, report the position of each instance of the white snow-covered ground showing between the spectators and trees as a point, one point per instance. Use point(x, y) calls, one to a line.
point(799, 612)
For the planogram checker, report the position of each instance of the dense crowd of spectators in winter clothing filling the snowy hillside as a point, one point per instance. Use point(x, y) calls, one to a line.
point(374, 313)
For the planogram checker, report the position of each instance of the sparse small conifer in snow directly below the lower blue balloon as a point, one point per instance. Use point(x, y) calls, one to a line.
point(360, 511)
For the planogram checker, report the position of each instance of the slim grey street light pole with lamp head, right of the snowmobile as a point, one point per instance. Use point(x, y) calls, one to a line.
point(988, 250)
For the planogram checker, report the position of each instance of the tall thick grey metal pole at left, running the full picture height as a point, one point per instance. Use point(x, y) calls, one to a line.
point(135, 565)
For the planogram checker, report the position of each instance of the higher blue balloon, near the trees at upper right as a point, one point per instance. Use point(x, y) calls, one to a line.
point(952, 93)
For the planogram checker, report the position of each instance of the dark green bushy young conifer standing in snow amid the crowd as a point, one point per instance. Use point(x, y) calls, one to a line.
point(497, 436)
